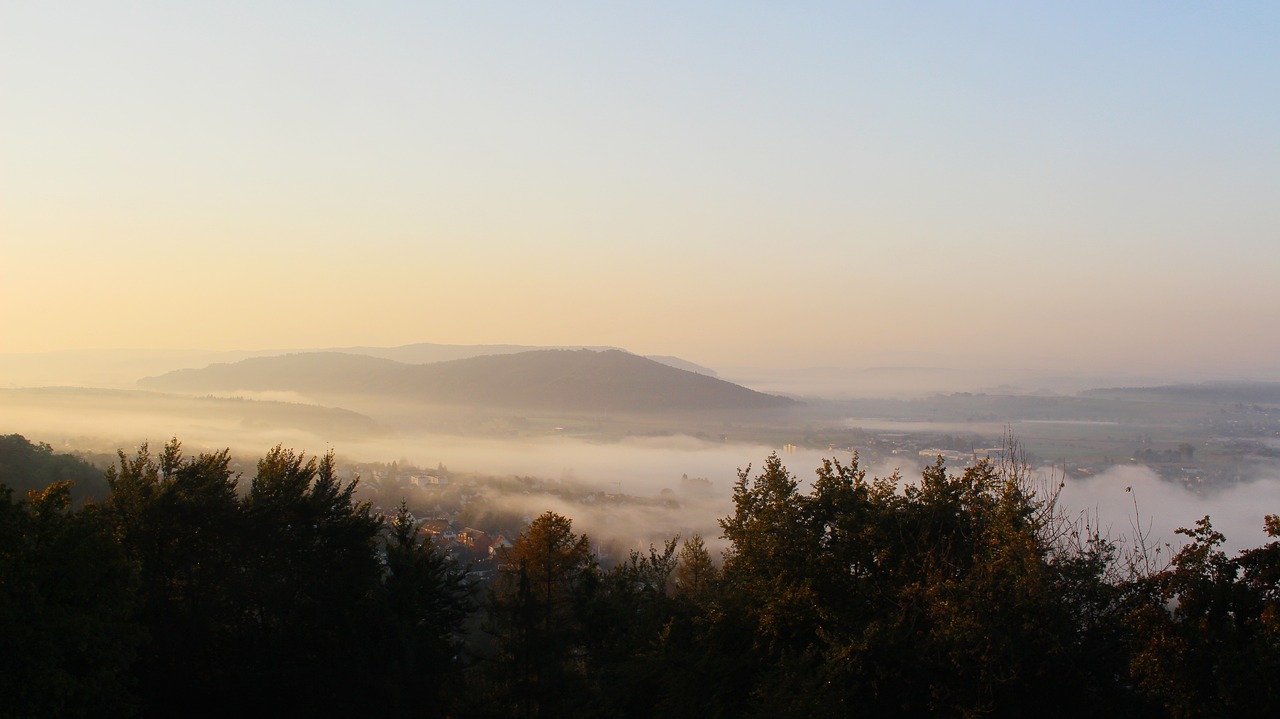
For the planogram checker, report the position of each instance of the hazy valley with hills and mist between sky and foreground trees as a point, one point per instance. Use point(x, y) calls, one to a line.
point(610, 422)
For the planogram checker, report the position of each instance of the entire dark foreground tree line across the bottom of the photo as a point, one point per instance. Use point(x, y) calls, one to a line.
point(962, 594)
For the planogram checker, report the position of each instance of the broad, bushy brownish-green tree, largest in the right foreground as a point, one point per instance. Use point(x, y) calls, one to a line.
point(938, 597)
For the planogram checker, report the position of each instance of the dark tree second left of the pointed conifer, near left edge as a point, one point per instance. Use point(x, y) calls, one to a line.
point(180, 520)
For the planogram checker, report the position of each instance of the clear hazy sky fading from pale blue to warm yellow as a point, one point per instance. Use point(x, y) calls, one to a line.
point(1071, 185)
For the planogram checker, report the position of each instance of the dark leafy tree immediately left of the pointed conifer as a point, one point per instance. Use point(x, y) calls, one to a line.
point(314, 571)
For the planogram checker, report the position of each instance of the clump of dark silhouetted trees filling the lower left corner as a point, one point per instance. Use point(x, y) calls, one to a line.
point(181, 592)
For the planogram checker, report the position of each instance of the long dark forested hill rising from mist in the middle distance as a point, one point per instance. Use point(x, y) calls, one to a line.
point(552, 379)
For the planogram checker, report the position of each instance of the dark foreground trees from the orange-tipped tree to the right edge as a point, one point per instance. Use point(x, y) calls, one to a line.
point(958, 596)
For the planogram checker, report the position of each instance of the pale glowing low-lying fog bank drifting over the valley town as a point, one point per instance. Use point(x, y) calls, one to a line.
point(641, 466)
